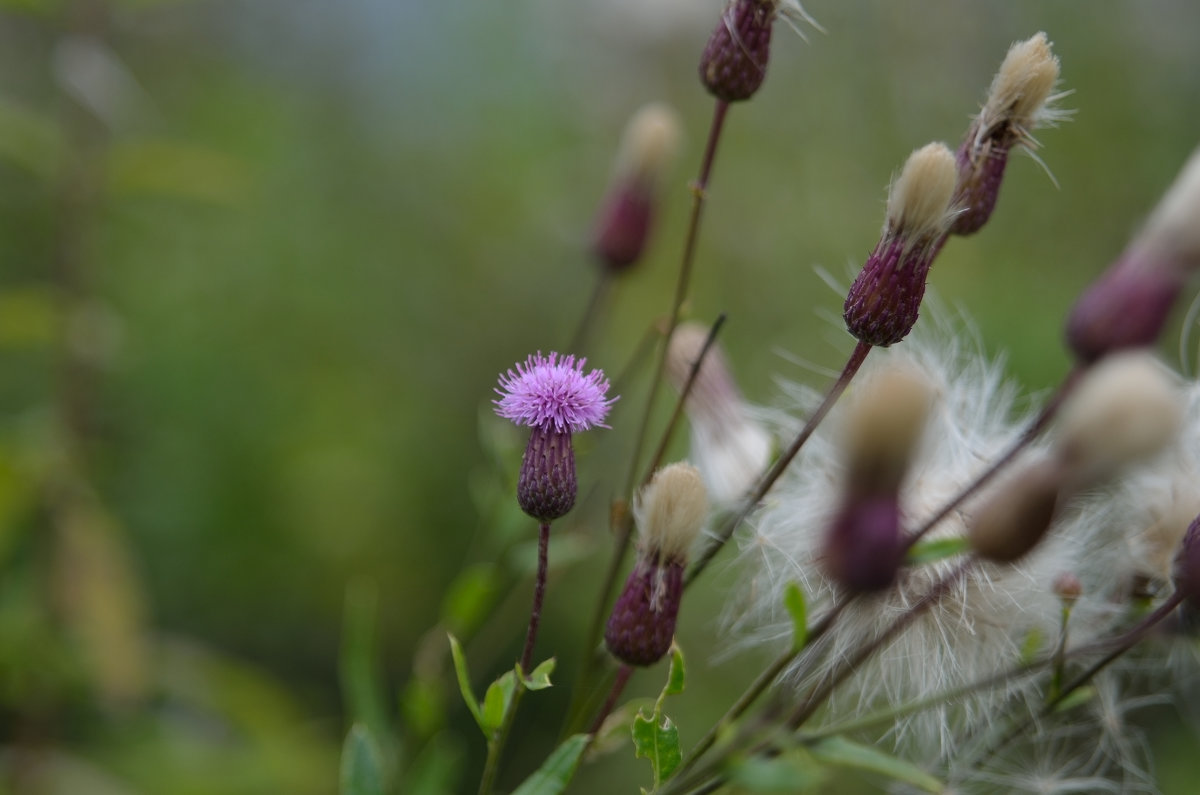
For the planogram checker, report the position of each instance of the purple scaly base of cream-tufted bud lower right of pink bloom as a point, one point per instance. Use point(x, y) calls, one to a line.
point(644, 620)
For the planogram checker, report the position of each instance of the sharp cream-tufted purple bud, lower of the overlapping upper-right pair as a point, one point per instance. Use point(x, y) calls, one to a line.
point(885, 301)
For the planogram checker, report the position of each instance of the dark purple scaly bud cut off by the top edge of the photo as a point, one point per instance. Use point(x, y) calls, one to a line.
point(735, 61)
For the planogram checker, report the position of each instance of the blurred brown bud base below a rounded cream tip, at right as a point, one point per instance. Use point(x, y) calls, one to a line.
point(1017, 515)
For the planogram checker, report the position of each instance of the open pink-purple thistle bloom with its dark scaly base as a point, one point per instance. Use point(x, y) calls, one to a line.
point(555, 399)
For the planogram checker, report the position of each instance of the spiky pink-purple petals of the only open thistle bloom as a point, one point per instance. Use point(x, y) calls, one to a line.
point(553, 393)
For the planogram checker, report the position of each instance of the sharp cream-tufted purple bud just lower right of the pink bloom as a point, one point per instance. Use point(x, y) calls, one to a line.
point(670, 513)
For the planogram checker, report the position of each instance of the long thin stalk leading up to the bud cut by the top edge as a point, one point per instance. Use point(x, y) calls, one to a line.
point(625, 527)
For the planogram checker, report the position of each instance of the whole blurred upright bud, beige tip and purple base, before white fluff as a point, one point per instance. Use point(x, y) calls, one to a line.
point(863, 548)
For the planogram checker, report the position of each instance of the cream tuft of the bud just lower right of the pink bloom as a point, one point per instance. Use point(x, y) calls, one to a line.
point(671, 511)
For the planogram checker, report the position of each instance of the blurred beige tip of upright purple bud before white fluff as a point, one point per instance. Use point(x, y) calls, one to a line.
point(884, 426)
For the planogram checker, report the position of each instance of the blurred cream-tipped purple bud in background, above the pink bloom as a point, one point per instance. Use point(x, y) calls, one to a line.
point(627, 217)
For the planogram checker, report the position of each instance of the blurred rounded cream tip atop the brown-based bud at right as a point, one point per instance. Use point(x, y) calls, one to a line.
point(1127, 408)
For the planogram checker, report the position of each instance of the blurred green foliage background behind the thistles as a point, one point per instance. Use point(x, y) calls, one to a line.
point(262, 261)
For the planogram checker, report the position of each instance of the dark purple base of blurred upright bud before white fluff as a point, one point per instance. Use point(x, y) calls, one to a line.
point(863, 548)
